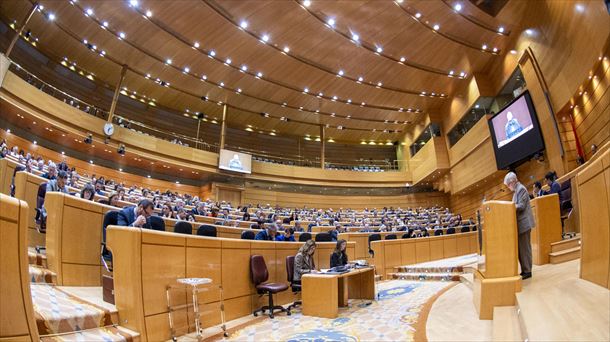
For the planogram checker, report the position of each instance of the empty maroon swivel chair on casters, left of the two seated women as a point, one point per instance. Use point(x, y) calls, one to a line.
point(260, 275)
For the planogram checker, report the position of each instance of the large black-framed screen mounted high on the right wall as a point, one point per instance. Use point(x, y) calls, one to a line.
point(515, 132)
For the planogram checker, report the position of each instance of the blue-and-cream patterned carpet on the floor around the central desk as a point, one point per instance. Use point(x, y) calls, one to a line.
point(394, 317)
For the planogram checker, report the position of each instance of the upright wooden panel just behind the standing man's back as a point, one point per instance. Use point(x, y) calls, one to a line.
point(547, 229)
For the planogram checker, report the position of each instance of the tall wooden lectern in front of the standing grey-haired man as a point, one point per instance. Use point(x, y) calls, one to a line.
point(497, 280)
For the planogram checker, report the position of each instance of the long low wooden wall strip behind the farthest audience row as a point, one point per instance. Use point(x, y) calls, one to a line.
point(271, 197)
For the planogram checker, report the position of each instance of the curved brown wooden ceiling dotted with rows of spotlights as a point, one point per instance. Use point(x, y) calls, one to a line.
point(391, 90)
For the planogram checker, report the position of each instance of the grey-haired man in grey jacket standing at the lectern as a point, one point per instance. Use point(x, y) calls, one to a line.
point(525, 222)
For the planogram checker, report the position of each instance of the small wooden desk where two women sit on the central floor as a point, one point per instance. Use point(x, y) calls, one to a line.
point(322, 294)
